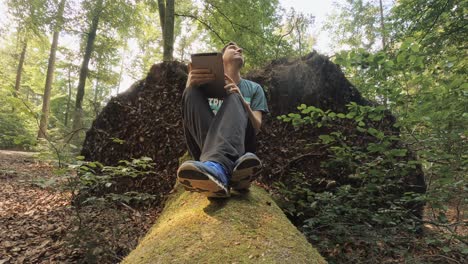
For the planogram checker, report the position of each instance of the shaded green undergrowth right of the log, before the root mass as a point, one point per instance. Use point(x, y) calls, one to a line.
point(369, 211)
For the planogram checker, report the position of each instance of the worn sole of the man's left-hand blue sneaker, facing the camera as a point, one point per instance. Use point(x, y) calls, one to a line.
point(195, 180)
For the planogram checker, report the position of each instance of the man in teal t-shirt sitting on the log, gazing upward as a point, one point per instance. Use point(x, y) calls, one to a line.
point(221, 135)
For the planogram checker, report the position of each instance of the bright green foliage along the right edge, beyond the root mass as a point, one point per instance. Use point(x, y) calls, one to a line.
point(422, 79)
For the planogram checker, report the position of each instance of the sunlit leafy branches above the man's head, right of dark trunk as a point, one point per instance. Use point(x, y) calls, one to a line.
point(252, 24)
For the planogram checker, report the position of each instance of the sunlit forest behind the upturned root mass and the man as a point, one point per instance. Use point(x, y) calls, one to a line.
point(407, 55)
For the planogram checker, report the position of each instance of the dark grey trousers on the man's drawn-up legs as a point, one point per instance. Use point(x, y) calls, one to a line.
point(229, 133)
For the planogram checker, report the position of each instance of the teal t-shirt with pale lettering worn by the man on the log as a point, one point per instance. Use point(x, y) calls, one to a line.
point(252, 93)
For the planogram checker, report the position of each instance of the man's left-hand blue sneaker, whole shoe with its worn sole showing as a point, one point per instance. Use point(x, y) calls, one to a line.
point(208, 178)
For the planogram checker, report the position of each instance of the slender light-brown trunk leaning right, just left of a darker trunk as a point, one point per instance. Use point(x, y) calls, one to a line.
point(50, 74)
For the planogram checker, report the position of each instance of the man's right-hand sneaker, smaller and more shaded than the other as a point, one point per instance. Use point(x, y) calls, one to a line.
point(246, 169)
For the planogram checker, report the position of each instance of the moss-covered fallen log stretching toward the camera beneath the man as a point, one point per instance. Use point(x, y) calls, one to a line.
point(247, 228)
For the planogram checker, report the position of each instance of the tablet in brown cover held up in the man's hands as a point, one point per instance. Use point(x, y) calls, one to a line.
point(214, 62)
